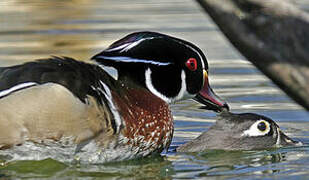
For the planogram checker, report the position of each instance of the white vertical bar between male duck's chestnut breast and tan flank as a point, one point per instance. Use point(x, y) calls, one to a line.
point(109, 98)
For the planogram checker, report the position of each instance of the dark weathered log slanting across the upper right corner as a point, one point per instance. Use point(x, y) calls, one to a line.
point(273, 35)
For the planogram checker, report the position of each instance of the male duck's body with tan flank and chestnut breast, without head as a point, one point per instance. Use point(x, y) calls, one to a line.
point(59, 106)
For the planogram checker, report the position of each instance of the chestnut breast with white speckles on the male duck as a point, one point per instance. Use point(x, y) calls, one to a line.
point(148, 122)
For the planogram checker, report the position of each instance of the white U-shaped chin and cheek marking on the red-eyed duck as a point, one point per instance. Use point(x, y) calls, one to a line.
point(181, 95)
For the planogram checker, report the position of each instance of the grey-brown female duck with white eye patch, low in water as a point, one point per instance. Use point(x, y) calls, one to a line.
point(246, 131)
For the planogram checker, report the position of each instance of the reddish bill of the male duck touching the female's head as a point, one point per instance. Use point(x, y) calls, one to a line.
point(208, 98)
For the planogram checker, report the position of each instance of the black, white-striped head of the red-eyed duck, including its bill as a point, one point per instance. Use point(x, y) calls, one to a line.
point(170, 68)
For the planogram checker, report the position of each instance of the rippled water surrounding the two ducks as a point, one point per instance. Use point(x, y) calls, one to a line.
point(31, 29)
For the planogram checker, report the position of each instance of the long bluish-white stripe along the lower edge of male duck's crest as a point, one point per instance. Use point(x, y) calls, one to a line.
point(133, 60)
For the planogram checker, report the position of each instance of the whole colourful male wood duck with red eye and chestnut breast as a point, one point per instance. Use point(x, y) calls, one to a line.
point(63, 102)
